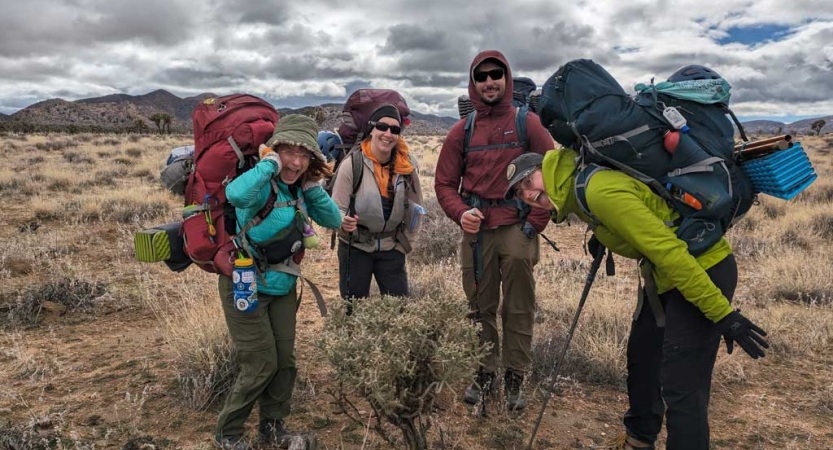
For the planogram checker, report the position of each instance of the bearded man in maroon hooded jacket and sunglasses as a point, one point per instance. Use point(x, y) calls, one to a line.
point(509, 248)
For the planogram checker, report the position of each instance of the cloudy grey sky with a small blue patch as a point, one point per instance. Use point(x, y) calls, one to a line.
point(777, 54)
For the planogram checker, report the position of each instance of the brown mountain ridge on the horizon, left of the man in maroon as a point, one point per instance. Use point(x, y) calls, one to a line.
point(120, 112)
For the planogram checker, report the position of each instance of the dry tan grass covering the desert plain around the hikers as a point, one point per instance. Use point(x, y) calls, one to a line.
point(73, 203)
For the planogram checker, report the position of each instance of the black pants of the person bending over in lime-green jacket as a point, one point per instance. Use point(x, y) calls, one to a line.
point(675, 364)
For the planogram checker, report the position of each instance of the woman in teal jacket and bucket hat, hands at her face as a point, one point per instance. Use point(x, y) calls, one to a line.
point(291, 166)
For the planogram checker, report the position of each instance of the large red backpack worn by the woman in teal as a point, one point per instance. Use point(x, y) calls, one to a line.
point(227, 133)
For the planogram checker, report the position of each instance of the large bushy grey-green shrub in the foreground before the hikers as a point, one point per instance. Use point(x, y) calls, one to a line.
point(398, 355)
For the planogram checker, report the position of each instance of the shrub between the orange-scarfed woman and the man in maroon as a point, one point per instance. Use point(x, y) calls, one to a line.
point(438, 238)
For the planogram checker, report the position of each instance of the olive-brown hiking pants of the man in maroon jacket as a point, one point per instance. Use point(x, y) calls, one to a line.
point(508, 259)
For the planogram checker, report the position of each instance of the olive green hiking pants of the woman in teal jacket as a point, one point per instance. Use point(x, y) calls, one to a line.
point(265, 344)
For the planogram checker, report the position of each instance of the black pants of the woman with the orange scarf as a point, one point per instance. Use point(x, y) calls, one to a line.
point(388, 267)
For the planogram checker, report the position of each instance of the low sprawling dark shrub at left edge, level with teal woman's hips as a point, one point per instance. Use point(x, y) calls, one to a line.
point(74, 294)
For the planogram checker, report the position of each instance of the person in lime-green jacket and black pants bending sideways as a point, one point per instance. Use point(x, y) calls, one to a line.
point(672, 363)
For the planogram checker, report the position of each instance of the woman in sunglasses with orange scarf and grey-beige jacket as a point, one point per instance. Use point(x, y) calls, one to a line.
point(378, 229)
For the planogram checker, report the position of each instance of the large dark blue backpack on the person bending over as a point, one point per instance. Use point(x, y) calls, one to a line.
point(585, 108)
